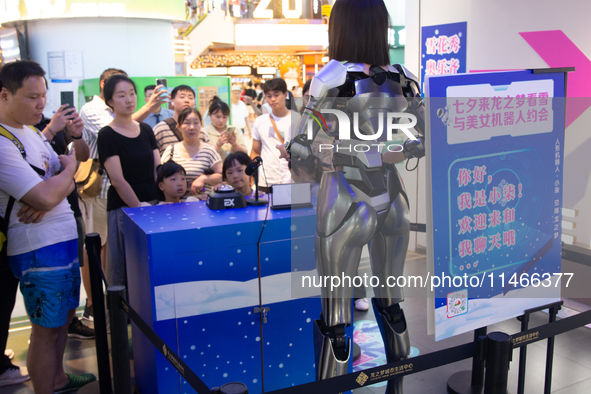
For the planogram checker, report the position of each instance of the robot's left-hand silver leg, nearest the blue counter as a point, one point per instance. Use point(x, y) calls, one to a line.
point(343, 227)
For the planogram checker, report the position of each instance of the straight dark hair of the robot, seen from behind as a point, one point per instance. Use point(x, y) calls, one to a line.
point(358, 32)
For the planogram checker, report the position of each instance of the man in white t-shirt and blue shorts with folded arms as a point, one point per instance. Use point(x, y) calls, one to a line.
point(43, 254)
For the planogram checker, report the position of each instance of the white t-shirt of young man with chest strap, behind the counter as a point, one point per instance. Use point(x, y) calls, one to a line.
point(275, 169)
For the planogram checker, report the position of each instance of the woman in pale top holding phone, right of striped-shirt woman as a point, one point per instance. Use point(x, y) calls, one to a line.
point(225, 139)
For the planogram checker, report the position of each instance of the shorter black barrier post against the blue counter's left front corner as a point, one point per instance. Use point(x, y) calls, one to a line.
point(119, 340)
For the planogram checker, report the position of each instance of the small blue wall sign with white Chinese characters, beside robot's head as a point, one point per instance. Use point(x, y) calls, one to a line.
point(443, 49)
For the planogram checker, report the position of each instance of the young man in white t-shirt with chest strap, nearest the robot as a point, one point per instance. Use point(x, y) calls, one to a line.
point(270, 130)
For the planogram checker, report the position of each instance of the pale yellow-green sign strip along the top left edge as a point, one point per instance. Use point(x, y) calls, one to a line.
point(15, 10)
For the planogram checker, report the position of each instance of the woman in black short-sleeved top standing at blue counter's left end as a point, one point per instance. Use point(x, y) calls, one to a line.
point(128, 151)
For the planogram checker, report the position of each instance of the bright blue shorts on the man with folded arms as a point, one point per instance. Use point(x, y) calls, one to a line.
point(49, 282)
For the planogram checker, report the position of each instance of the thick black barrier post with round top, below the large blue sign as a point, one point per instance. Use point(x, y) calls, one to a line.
point(498, 357)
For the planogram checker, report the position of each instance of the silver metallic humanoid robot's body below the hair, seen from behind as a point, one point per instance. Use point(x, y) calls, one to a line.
point(362, 202)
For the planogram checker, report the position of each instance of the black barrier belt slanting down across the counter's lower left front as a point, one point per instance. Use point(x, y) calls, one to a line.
point(171, 356)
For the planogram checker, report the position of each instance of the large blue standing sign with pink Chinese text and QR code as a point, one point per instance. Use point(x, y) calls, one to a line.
point(495, 148)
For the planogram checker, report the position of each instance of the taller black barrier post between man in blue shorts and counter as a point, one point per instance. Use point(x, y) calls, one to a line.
point(93, 248)
